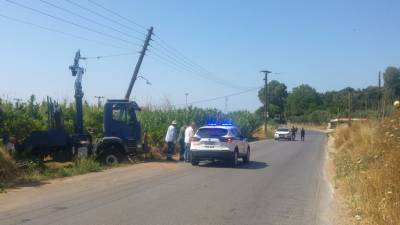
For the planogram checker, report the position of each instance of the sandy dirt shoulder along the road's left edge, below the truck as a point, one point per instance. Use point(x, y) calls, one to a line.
point(77, 185)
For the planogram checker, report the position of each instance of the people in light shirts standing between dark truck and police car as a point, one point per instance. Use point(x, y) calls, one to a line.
point(183, 137)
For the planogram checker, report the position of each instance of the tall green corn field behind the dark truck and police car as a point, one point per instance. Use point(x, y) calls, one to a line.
point(17, 120)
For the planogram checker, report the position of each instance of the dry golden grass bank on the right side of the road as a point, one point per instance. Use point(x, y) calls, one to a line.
point(367, 166)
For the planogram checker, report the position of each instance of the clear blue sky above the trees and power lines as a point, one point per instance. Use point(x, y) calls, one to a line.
point(329, 45)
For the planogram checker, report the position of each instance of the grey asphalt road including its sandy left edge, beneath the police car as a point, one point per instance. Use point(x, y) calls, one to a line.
point(284, 184)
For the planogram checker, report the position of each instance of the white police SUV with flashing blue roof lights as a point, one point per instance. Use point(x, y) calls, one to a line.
point(221, 142)
